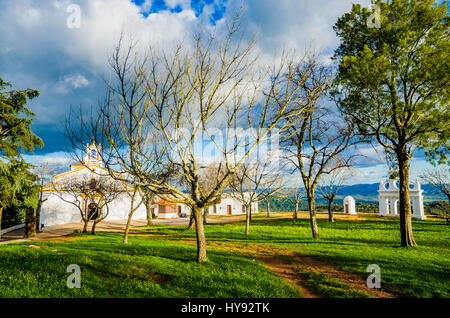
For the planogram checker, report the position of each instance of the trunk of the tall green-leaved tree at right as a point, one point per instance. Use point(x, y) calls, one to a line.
point(406, 231)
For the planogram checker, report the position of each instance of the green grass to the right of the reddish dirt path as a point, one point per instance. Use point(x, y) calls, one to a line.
point(422, 271)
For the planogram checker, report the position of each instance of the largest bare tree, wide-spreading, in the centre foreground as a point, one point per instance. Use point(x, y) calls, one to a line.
point(210, 91)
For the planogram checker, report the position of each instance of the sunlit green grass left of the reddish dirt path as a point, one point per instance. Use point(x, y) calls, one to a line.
point(143, 268)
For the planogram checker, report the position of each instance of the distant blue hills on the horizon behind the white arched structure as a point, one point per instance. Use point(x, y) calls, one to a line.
point(369, 193)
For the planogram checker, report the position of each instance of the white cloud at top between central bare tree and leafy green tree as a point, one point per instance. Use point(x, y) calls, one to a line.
point(294, 23)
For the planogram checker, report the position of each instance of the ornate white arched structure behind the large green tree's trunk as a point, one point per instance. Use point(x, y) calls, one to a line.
point(389, 195)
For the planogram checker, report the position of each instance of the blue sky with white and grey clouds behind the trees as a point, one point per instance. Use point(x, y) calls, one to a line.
point(43, 47)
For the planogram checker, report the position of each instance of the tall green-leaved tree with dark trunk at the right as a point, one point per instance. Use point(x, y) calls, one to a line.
point(393, 82)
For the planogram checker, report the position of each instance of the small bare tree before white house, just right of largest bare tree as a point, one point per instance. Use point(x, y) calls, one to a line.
point(254, 182)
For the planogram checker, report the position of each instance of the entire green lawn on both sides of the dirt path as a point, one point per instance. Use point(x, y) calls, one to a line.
point(152, 267)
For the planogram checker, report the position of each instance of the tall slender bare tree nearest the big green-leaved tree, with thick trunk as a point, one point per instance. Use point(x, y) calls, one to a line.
point(320, 136)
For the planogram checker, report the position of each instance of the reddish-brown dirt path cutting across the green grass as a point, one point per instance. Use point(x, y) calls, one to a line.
point(290, 265)
